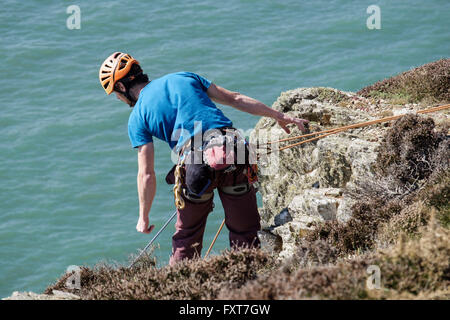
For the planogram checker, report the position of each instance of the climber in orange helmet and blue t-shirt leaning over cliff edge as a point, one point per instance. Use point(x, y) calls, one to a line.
point(170, 108)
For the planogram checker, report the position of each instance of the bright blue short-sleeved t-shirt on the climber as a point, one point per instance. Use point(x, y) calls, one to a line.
point(170, 106)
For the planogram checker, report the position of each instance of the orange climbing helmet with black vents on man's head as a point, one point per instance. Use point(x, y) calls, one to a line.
point(114, 68)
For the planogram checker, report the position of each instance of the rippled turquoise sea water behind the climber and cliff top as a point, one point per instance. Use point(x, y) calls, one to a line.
point(67, 171)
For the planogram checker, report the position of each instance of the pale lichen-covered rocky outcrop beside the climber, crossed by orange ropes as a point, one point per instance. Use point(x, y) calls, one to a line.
point(312, 182)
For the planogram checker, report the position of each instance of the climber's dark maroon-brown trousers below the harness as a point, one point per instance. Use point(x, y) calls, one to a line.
point(241, 218)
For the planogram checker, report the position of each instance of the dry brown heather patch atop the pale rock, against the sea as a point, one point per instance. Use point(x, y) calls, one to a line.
point(429, 83)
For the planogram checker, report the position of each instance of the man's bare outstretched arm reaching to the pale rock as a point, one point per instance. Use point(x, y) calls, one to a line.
point(252, 106)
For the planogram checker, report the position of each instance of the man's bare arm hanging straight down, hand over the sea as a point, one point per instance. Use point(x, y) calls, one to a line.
point(146, 182)
